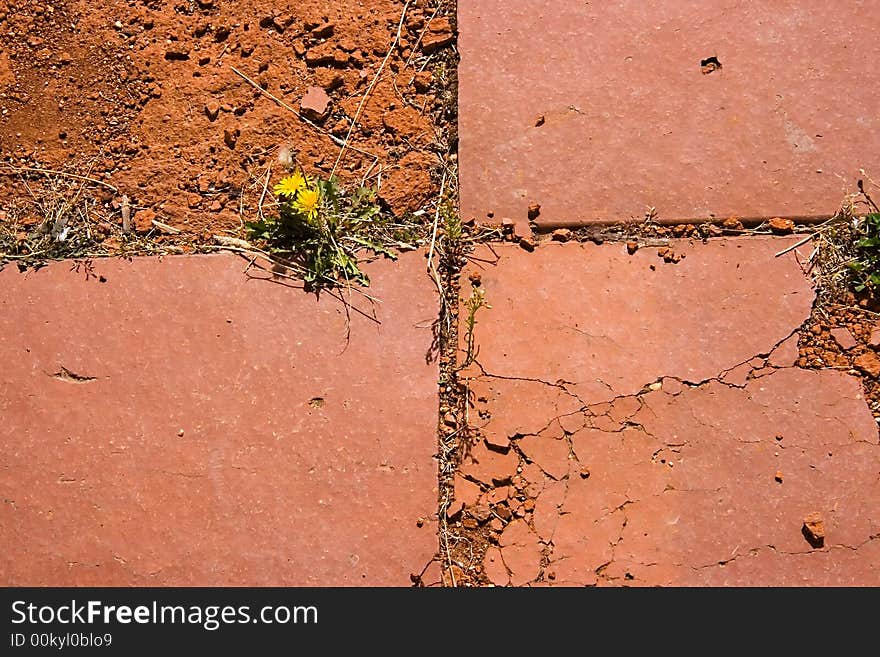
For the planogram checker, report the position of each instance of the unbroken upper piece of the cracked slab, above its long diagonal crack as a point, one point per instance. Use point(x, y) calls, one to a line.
point(608, 323)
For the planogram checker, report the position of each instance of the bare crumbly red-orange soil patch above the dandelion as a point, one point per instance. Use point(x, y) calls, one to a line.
point(143, 96)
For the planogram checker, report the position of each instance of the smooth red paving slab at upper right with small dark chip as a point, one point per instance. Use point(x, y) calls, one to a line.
point(599, 111)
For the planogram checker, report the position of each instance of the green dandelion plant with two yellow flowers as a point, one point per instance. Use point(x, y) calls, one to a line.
point(320, 226)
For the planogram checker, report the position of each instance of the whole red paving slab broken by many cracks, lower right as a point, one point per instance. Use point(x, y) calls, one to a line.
point(662, 435)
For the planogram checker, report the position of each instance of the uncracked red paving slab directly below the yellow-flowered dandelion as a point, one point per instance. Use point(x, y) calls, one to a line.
point(170, 422)
